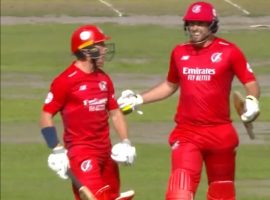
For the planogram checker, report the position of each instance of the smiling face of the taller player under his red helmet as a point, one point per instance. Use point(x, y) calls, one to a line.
point(198, 31)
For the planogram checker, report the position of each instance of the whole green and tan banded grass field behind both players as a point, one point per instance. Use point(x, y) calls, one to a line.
point(32, 54)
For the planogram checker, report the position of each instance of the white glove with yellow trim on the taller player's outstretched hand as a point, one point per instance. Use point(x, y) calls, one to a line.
point(129, 101)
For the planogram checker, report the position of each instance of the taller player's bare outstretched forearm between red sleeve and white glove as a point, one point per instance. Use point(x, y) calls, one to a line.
point(159, 92)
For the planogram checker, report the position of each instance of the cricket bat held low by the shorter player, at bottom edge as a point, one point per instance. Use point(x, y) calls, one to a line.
point(84, 192)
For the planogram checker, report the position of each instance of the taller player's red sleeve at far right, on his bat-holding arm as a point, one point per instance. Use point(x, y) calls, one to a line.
point(241, 67)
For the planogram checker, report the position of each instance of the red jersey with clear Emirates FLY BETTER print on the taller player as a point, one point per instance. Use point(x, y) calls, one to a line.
point(205, 76)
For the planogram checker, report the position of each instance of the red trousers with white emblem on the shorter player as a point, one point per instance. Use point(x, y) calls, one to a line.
point(94, 170)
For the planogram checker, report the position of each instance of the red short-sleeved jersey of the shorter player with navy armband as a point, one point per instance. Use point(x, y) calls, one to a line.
point(84, 101)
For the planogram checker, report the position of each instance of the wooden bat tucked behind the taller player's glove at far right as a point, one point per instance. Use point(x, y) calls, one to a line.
point(239, 105)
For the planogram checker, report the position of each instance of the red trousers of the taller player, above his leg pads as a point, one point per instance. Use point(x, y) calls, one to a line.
point(214, 146)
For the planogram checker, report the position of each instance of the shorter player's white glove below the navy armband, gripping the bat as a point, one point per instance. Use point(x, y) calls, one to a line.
point(58, 162)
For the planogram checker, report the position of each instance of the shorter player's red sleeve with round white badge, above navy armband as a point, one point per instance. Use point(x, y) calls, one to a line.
point(56, 97)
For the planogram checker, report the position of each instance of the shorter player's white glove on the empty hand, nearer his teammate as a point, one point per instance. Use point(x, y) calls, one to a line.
point(123, 152)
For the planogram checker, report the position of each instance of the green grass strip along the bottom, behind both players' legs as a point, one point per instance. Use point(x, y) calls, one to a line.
point(25, 174)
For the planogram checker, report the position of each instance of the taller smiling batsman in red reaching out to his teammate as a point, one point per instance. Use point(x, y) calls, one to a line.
point(202, 69)
